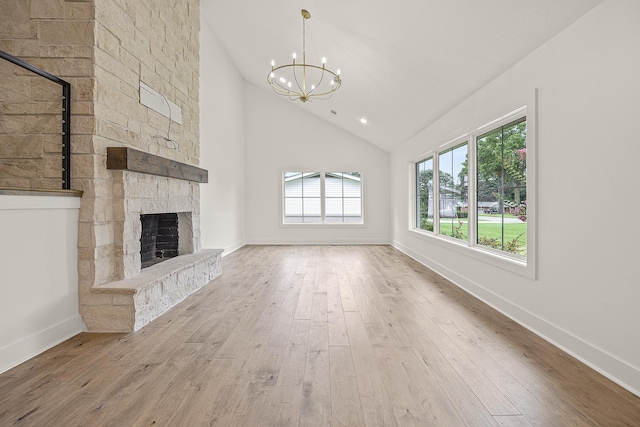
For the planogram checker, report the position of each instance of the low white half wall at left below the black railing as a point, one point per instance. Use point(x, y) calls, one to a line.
point(38, 275)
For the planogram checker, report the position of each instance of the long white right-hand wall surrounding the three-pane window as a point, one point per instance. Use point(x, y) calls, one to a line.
point(587, 295)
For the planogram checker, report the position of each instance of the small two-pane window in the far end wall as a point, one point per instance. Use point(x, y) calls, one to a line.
point(322, 197)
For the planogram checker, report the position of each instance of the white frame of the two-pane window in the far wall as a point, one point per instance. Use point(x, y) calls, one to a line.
point(322, 223)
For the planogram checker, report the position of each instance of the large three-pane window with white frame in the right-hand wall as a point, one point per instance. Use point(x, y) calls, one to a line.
point(483, 193)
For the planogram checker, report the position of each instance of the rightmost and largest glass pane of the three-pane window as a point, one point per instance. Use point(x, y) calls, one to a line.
point(502, 188)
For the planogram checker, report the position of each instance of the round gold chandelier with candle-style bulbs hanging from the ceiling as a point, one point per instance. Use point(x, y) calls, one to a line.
point(301, 80)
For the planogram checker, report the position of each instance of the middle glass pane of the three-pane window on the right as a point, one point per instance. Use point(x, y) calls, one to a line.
point(453, 200)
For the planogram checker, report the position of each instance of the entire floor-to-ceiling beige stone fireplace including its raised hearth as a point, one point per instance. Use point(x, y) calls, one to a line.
point(108, 50)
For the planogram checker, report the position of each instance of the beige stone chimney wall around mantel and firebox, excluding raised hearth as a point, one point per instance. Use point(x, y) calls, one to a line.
point(104, 48)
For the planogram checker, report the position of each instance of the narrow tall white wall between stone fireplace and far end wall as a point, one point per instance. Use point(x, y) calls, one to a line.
point(222, 203)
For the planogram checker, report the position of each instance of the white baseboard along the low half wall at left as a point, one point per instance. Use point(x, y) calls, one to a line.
point(28, 347)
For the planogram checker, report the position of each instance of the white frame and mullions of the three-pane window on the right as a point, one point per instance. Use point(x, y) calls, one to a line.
point(525, 266)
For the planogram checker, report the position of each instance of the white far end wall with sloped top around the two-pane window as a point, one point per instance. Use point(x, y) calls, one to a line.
point(280, 136)
